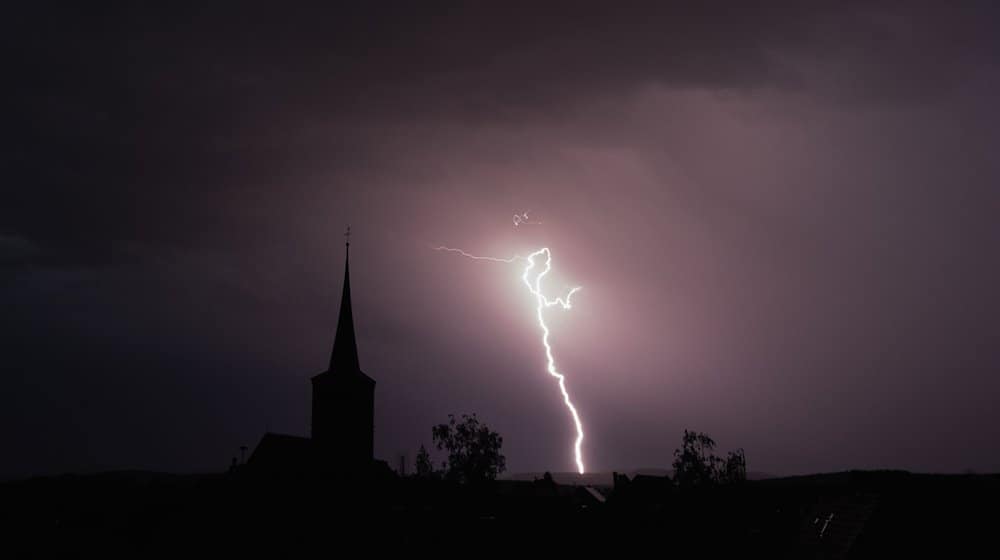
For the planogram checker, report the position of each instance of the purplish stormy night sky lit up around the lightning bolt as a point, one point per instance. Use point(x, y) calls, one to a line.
point(784, 220)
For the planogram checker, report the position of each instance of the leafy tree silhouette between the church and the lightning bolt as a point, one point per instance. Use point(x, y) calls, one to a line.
point(473, 449)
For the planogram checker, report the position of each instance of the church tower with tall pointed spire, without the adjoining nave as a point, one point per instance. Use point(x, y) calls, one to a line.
point(343, 409)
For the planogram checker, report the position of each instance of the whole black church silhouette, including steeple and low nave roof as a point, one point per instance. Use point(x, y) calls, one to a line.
point(343, 413)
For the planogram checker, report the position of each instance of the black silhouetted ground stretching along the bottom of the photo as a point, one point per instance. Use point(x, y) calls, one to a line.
point(857, 514)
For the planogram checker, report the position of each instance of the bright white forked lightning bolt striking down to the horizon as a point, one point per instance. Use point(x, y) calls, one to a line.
point(542, 303)
